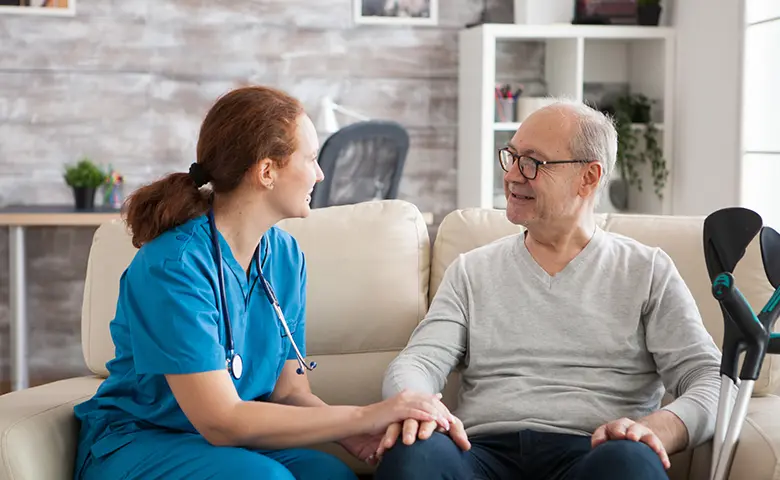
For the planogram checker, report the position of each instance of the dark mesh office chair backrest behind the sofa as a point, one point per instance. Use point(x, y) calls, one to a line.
point(362, 161)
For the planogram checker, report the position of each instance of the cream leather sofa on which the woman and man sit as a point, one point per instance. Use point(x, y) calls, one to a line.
point(372, 271)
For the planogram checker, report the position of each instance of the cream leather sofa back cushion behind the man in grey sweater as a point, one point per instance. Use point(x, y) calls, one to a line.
point(679, 236)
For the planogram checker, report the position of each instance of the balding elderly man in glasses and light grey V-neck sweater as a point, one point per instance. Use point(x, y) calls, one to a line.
point(567, 335)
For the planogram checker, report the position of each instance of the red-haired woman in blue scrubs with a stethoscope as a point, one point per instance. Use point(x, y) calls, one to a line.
point(209, 379)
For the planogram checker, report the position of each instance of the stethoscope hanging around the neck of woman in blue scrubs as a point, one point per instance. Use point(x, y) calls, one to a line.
point(235, 364)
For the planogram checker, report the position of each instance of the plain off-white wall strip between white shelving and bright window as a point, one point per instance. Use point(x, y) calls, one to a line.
point(707, 151)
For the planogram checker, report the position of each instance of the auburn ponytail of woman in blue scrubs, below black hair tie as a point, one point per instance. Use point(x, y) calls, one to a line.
point(162, 205)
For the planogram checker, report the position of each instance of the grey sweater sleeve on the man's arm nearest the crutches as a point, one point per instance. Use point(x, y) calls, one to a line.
point(687, 358)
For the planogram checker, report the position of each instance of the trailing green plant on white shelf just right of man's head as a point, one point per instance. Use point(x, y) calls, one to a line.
point(633, 121)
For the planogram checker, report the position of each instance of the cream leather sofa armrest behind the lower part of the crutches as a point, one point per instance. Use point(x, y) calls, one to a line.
point(757, 454)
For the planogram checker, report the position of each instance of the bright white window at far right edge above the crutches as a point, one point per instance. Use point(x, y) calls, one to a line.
point(760, 189)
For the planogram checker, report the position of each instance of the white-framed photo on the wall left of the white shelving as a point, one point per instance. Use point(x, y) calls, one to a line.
point(396, 12)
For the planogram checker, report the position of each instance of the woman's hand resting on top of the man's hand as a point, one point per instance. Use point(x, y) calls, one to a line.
point(405, 405)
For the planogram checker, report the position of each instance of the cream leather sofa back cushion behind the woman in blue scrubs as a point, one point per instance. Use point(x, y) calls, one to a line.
point(368, 267)
